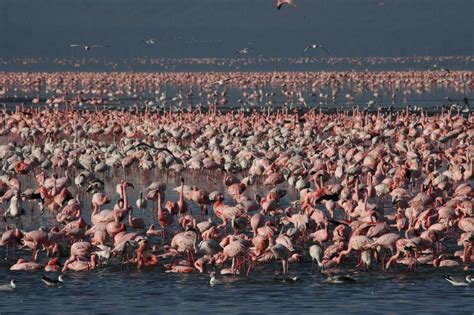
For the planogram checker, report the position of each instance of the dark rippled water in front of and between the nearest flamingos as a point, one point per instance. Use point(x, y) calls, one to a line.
point(152, 290)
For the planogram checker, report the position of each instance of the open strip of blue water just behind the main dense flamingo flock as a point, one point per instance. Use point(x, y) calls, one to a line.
point(430, 100)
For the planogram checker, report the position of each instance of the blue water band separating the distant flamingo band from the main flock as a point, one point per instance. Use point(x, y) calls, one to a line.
point(431, 99)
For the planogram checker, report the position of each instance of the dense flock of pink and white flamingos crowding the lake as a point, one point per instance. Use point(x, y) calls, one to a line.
point(371, 189)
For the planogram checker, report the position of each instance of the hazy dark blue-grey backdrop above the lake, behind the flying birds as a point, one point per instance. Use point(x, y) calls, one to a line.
point(215, 28)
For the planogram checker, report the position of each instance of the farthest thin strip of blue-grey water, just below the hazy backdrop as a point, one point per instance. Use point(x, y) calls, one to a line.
point(252, 63)
